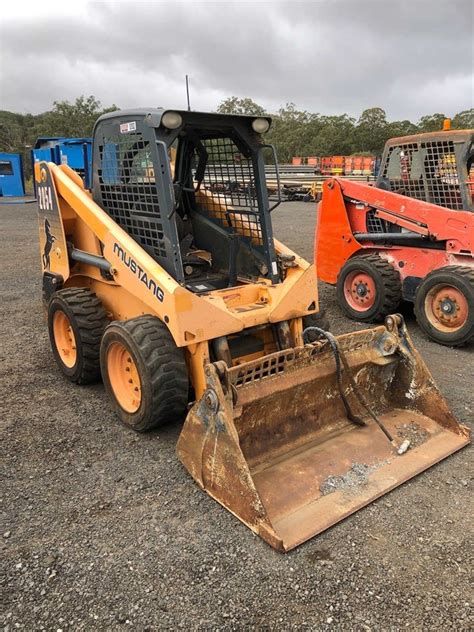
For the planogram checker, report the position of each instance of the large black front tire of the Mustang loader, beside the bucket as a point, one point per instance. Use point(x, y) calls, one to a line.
point(161, 369)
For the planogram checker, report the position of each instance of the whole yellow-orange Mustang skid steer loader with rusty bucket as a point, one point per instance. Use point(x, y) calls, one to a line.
point(166, 281)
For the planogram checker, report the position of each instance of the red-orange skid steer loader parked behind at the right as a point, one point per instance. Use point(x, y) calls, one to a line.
point(411, 237)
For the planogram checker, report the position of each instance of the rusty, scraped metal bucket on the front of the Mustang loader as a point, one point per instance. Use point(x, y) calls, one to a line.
point(270, 439)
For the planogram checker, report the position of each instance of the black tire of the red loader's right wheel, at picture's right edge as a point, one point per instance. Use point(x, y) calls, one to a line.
point(441, 328)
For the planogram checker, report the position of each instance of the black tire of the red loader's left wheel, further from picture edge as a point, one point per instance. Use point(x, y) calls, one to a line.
point(387, 288)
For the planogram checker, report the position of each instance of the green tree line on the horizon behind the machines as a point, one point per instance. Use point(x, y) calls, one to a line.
point(294, 132)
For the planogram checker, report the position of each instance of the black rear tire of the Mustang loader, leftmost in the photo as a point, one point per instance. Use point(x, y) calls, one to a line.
point(88, 320)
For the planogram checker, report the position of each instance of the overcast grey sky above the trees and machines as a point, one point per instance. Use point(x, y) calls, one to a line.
point(410, 57)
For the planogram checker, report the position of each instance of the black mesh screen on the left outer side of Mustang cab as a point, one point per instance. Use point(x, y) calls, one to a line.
point(128, 190)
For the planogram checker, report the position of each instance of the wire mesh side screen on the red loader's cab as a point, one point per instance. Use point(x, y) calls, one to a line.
point(425, 171)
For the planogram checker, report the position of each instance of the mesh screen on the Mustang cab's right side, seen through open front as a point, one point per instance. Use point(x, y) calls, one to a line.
point(228, 192)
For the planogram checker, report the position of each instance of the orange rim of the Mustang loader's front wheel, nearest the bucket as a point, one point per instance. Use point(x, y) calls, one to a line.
point(123, 377)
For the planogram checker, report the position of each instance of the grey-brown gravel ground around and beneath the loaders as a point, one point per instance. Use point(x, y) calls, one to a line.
point(103, 529)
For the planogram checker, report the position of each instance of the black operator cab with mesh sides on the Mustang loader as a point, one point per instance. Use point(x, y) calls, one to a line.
point(190, 188)
